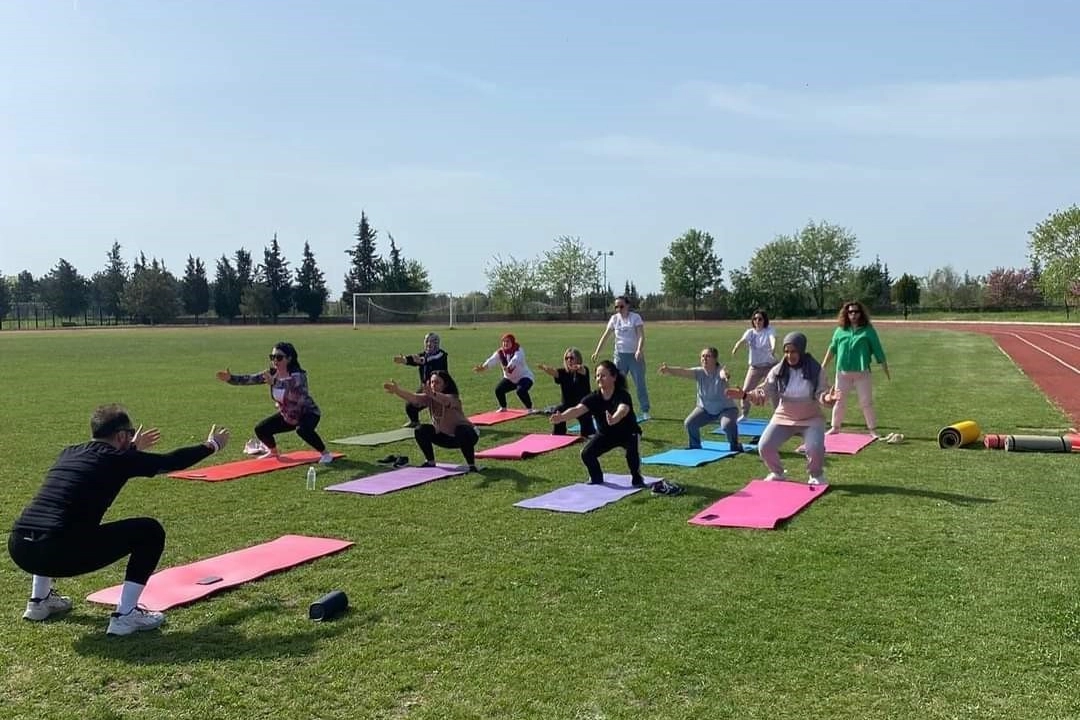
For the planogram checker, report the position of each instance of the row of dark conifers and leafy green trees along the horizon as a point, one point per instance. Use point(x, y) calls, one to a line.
point(808, 273)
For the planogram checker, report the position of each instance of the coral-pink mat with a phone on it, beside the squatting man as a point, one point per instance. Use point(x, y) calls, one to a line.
point(192, 582)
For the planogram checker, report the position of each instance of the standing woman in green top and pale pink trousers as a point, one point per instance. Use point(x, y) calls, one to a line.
point(855, 345)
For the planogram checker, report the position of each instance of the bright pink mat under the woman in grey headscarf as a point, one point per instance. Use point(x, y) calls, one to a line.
point(761, 505)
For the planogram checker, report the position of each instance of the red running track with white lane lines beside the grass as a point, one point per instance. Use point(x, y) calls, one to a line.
point(1049, 355)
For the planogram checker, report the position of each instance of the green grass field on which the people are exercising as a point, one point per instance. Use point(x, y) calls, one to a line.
point(925, 585)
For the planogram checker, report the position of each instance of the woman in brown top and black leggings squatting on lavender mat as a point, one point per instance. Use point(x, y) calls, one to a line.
point(450, 428)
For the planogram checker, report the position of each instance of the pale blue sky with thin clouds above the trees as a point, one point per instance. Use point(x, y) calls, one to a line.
point(939, 132)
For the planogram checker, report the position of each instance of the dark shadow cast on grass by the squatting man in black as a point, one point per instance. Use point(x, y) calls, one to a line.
point(220, 640)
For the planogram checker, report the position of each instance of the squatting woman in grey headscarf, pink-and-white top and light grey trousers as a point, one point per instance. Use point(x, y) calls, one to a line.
point(799, 388)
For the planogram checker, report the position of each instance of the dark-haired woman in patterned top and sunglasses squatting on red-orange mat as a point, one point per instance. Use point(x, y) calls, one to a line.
point(289, 389)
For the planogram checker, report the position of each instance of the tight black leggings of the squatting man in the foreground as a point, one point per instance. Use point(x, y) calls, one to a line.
point(87, 550)
